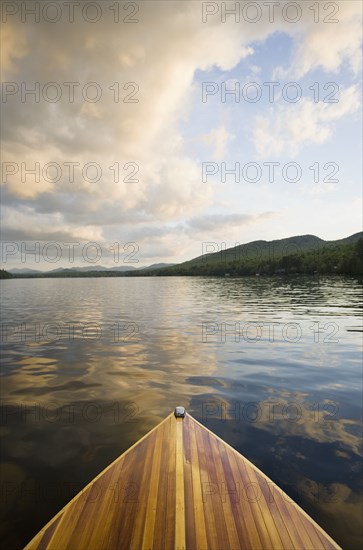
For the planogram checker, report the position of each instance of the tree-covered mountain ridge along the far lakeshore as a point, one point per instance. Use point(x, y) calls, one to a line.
point(302, 254)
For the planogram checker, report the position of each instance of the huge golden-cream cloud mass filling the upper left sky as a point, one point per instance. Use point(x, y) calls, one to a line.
point(154, 68)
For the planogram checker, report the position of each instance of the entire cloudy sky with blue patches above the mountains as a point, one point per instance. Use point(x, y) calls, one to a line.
point(135, 133)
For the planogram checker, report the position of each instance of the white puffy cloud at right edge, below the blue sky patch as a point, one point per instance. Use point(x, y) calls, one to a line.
point(292, 127)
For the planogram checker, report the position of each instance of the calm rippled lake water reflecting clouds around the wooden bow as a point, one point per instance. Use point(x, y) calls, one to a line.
point(271, 365)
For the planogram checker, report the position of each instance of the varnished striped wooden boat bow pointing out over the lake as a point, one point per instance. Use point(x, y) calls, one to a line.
point(181, 487)
